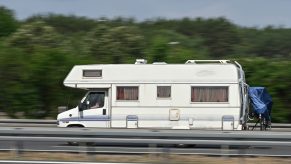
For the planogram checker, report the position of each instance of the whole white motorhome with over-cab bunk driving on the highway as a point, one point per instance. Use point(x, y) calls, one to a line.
point(200, 94)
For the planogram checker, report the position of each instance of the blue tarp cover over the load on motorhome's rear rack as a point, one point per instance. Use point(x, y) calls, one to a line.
point(261, 101)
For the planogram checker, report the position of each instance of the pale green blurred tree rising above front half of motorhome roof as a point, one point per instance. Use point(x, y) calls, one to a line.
point(116, 44)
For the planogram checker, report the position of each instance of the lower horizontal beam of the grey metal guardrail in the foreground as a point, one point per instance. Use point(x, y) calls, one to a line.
point(228, 142)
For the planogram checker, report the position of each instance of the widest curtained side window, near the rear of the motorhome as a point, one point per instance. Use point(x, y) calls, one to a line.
point(209, 94)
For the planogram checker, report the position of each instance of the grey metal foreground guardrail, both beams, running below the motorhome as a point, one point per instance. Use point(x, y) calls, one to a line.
point(142, 136)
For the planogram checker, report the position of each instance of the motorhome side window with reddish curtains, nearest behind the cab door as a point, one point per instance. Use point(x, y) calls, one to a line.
point(127, 93)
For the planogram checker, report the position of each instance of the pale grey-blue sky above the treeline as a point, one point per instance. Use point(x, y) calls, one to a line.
point(249, 13)
